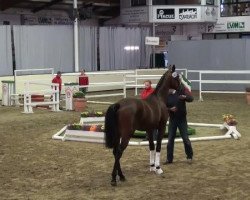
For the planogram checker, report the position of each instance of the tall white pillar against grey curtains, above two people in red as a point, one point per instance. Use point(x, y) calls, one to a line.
point(76, 46)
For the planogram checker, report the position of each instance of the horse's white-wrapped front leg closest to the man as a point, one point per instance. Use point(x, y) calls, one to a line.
point(160, 135)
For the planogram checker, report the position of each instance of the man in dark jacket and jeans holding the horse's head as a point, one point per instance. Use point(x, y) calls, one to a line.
point(176, 103)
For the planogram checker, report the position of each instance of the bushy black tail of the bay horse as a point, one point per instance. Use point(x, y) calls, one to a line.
point(111, 130)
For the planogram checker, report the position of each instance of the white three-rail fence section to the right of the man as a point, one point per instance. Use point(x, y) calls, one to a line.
point(202, 80)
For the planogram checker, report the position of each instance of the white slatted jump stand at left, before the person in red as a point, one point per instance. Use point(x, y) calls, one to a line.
point(52, 89)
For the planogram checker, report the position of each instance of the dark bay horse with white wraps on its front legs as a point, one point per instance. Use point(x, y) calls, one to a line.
point(130, 114)
